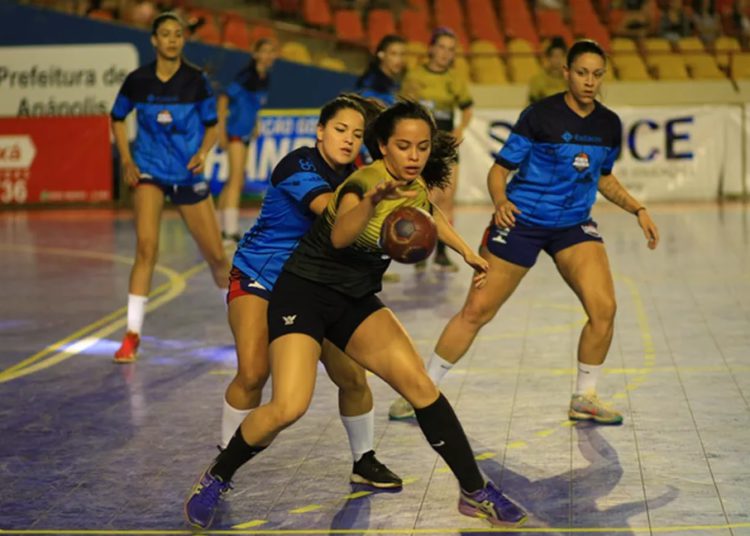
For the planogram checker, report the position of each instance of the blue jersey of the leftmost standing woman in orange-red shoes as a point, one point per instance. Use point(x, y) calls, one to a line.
point(171, 120)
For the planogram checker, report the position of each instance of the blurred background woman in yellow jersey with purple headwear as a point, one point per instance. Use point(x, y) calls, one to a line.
point(440, 88)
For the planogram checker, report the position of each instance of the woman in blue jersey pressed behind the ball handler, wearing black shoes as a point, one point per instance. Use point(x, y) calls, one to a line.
point(301, 186)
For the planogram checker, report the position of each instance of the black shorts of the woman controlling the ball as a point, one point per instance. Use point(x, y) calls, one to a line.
point(299, 305)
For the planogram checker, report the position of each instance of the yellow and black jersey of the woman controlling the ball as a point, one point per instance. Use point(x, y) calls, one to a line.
point(356, 270)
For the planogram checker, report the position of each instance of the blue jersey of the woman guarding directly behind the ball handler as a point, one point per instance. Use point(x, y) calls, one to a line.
point(285, 217)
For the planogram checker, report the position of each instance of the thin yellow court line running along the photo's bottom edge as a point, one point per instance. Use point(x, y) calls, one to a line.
point(484, 530)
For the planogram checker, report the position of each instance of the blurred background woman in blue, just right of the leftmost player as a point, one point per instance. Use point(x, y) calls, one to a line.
point(238, 117)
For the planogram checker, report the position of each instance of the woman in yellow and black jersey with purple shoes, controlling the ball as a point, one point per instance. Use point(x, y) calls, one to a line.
point(327, 290)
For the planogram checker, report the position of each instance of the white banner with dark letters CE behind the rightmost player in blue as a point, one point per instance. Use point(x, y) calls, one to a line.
point(668, 153)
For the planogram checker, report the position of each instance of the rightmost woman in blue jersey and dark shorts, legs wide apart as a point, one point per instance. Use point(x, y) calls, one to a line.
point(563, 148)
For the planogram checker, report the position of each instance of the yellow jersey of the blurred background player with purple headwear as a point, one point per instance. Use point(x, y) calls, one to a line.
point(441, 92)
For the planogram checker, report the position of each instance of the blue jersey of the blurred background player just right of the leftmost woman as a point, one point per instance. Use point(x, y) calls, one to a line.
point(247, 94)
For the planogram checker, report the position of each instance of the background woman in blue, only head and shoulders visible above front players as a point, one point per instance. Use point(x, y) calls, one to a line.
point(382, 79)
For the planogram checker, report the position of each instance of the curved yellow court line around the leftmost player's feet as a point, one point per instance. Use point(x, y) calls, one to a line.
point(113, 321)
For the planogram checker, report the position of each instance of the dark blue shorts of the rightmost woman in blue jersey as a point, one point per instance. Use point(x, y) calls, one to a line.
point(521, 244)
